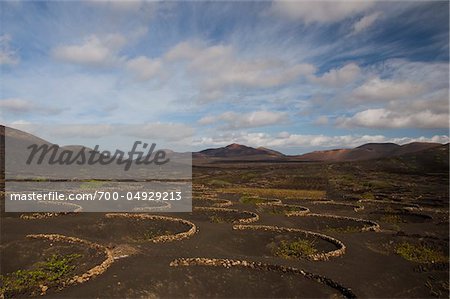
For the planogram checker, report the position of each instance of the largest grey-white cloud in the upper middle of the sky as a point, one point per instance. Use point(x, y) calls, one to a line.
point(218, 68)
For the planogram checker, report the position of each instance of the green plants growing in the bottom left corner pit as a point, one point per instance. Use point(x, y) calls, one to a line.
point(55, 270)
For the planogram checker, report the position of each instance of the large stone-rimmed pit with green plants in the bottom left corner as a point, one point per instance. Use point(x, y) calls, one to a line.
point(46, 263)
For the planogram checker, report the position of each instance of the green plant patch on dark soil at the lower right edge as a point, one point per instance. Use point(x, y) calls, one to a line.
point(420, 253)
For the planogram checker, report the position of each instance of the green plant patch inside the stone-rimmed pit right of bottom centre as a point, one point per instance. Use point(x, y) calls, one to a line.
point(300, 248)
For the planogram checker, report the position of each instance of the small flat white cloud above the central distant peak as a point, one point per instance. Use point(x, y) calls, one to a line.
point(253, 119)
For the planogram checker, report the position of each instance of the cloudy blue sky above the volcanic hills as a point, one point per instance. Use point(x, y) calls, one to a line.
point(294, 76)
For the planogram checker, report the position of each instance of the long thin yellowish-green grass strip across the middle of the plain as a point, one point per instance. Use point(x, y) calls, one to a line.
point(278, 193)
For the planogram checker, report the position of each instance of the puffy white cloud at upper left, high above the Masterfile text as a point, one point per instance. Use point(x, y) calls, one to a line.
point(93, 51)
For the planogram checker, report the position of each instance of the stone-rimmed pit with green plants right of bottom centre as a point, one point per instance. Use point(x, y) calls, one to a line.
point(286, 243)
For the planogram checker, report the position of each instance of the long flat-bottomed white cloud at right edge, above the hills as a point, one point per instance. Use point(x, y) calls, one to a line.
point(385, 118)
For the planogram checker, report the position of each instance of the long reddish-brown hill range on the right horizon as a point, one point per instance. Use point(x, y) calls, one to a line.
point(368, 151)
